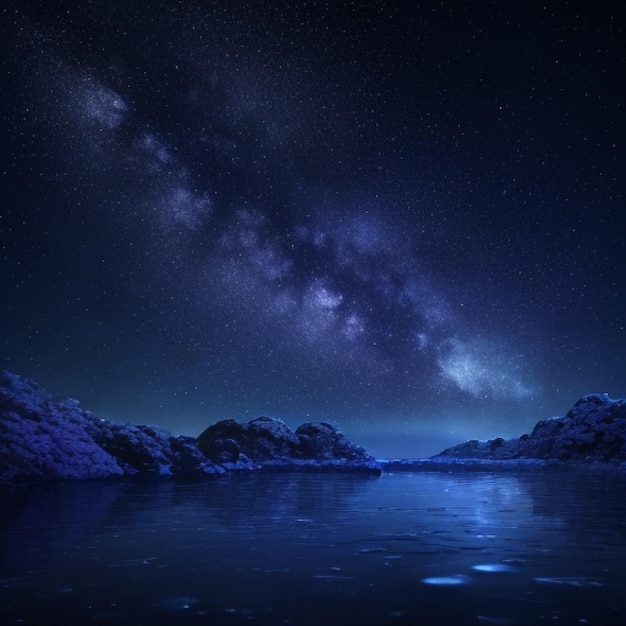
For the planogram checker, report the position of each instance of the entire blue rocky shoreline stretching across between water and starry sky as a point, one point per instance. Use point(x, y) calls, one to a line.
point(43, 437)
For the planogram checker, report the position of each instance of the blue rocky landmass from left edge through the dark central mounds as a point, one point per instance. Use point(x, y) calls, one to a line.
point(48, 437)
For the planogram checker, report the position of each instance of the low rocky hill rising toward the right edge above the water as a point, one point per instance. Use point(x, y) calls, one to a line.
point(594, 430)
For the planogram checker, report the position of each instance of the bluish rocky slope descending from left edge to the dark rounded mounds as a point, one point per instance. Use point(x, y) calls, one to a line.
point(43, 437)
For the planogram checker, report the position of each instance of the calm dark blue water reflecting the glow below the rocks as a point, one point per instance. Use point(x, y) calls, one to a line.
point(410, 548)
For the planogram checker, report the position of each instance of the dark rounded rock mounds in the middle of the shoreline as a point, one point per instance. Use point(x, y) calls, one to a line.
point(269, 442)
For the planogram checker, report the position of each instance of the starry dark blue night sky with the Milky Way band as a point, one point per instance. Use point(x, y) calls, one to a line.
point(405, 218)
